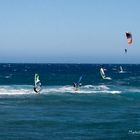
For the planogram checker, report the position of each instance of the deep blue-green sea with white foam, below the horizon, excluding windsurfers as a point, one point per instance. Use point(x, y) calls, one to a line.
point(99, 110)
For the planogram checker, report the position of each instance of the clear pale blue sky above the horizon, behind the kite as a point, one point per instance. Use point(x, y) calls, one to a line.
point(69, 31)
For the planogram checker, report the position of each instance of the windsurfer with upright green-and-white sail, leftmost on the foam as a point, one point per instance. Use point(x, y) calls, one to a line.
point(37, 83)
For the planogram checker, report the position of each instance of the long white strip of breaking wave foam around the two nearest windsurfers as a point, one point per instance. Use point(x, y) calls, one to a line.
point(20, 90)
